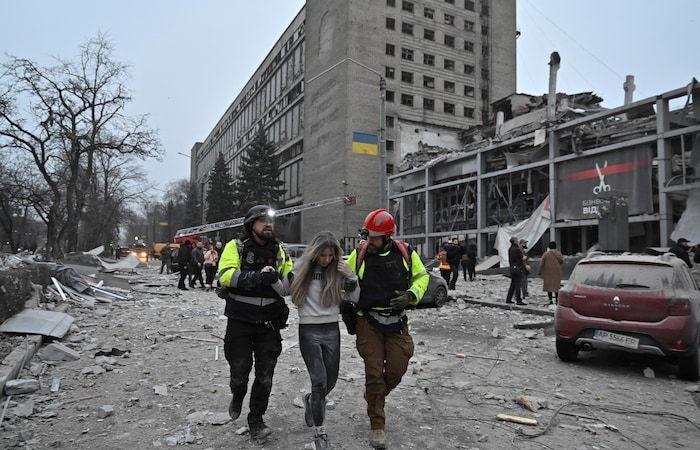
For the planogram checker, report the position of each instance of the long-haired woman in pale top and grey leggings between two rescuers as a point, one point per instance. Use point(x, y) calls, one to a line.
point(321, 281)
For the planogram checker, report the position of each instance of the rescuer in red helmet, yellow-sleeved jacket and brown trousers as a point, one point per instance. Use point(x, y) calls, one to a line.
point(392, 276)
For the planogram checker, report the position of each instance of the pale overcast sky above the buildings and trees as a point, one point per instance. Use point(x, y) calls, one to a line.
point(189, 59)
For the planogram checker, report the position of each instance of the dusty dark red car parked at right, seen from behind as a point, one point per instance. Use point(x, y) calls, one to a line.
point(634, 303)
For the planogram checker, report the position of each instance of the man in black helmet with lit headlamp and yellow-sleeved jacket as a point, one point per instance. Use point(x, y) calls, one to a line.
point(255, 276)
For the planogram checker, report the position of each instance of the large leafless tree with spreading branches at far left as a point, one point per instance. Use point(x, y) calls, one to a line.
point(61, 118)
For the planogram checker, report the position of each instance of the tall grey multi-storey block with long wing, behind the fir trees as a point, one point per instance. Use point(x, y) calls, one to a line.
point(443, 61)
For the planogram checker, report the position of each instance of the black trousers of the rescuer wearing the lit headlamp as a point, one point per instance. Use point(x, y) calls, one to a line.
point(243, 342)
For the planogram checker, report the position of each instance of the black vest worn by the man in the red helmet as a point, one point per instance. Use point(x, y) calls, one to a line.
point(382, 276)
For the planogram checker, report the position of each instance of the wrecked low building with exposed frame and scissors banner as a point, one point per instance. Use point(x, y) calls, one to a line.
point(565, 161)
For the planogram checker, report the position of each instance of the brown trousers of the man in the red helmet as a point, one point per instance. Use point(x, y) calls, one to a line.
point(386, 356)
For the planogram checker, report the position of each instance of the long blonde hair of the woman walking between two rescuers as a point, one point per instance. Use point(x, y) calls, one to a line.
point(332, 282)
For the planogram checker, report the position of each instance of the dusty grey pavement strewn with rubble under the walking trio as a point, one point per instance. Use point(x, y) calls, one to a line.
point(470, 364)
